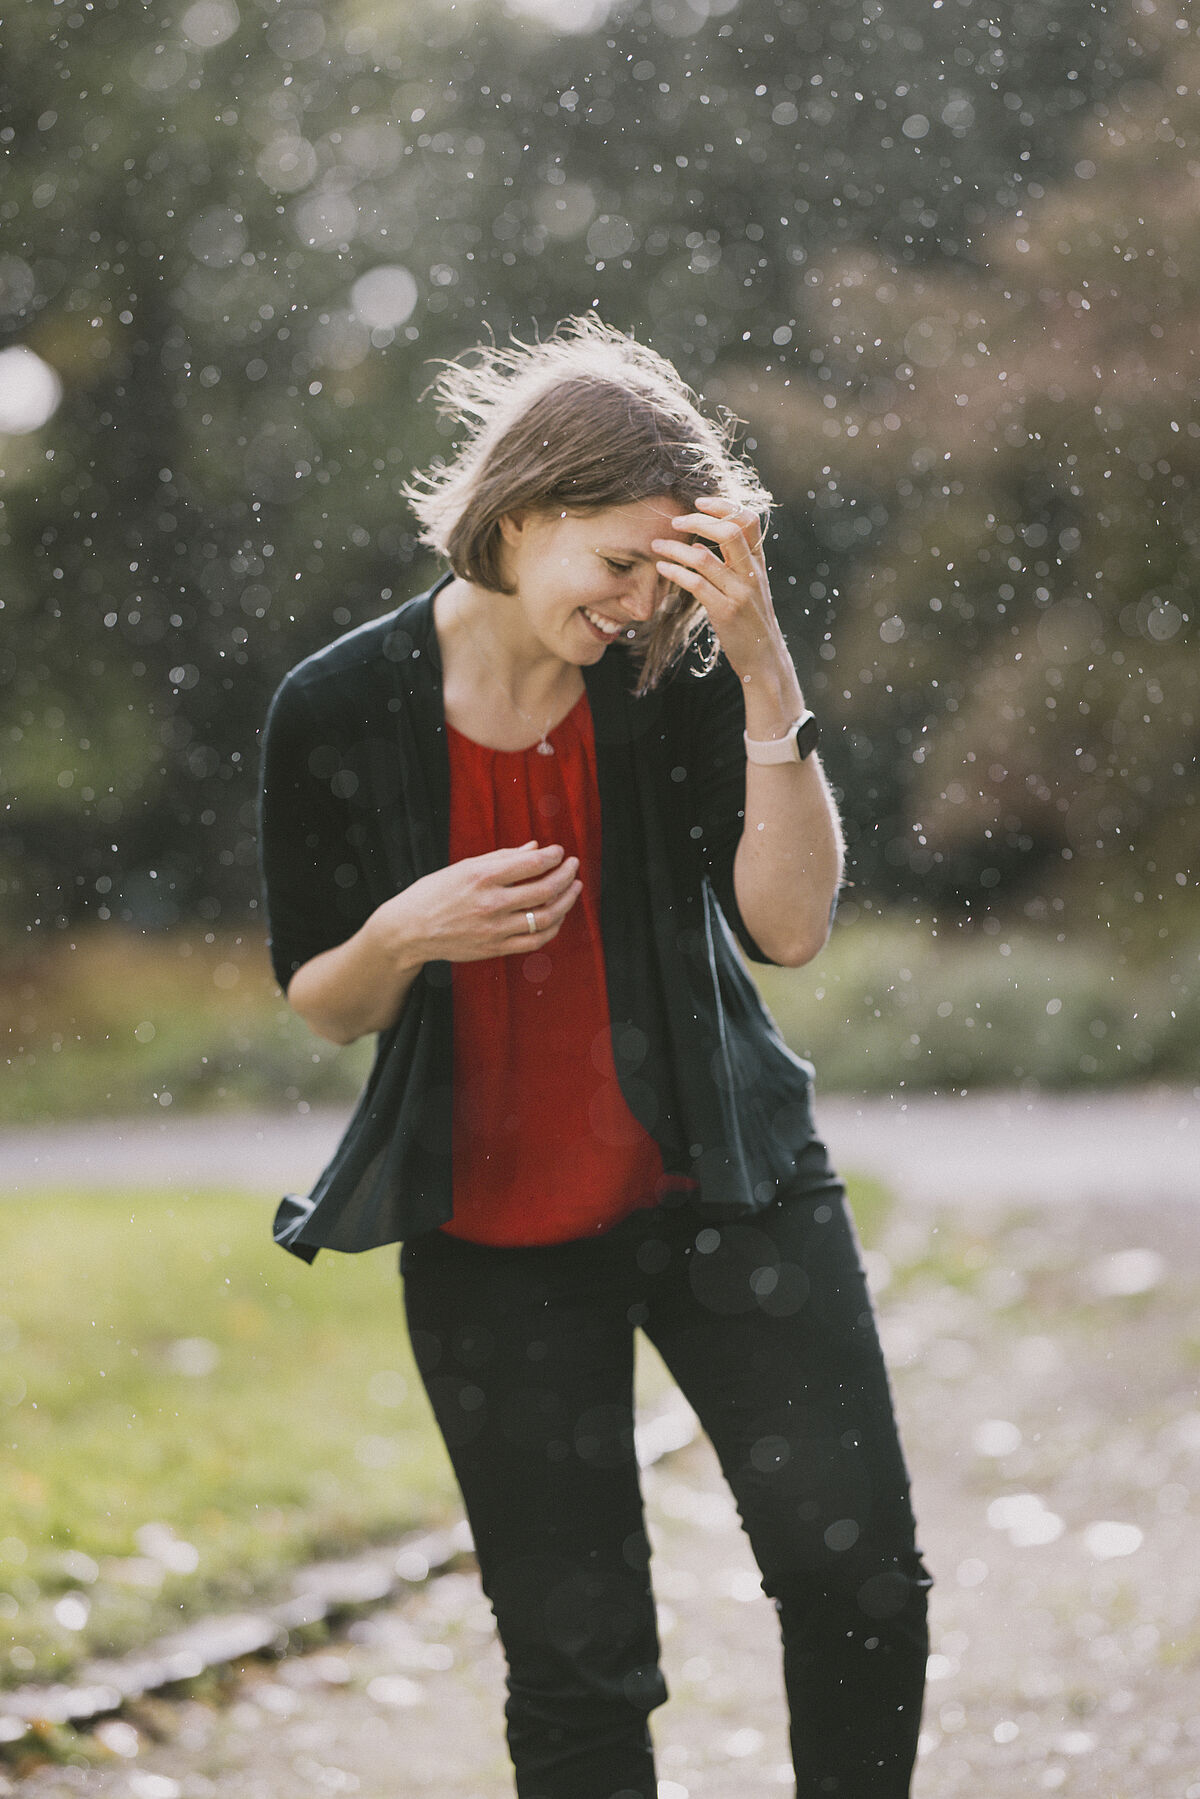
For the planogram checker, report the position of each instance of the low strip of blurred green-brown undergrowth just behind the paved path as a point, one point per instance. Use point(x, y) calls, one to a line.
point(123, 1025)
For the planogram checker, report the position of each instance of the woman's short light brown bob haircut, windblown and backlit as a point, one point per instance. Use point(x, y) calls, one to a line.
point(580, 422)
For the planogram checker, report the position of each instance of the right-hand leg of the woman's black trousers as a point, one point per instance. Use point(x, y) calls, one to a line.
point(767, 1327)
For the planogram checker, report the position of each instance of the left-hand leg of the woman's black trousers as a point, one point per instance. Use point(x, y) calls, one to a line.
point(528, 1361)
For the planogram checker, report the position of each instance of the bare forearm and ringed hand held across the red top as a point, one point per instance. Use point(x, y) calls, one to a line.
point(467, 913)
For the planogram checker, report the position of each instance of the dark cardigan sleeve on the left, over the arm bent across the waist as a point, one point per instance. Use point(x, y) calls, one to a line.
point(310, 866)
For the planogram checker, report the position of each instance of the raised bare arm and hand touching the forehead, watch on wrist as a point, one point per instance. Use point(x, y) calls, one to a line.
point(789, 863)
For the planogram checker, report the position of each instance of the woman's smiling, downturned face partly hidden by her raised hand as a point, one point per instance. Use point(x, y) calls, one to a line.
point(582, 580)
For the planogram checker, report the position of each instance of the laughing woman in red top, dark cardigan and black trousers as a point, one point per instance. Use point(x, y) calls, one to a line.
point(514, 828)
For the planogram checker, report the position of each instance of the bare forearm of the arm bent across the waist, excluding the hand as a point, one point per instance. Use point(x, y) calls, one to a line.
point(361, 985)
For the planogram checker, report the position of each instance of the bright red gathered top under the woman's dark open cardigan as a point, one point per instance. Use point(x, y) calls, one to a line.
point(544, 1143)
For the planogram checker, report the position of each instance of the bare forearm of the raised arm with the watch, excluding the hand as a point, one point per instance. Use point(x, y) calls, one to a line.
point(789, 863)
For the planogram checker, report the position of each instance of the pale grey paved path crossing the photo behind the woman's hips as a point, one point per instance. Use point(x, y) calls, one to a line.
point(1134, 1145)
